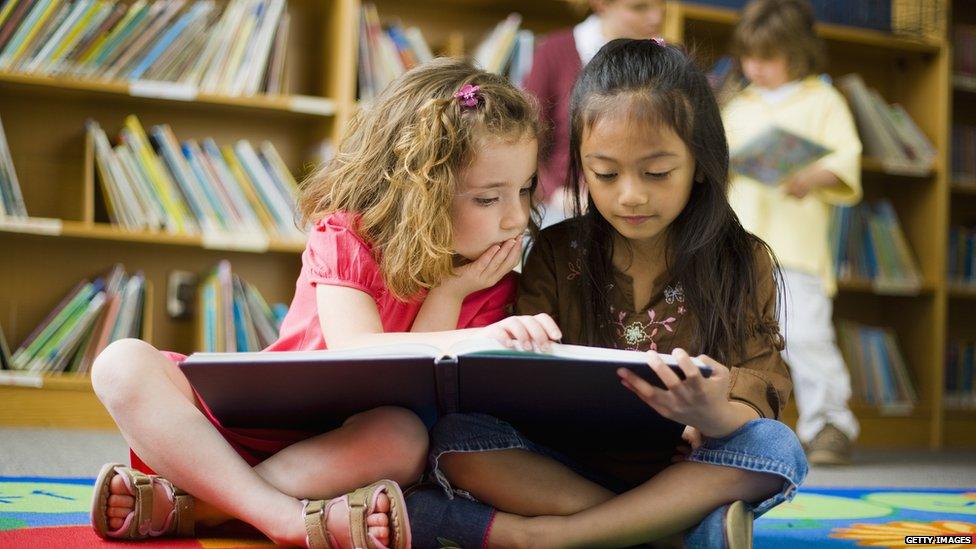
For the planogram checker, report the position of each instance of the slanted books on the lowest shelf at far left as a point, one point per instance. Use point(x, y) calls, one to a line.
point(93, 314)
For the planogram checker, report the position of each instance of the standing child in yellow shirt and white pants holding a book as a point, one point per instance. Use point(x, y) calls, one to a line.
point(779, 53)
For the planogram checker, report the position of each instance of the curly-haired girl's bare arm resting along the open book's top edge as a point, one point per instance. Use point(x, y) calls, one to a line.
point(349, 318)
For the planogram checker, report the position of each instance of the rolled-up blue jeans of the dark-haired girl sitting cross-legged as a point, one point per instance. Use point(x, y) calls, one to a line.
point(761, 445)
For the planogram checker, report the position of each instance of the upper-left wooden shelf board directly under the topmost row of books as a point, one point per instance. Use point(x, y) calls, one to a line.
point(286, 105)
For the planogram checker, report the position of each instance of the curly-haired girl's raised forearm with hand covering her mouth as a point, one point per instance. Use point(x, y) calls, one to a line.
point(442, 305)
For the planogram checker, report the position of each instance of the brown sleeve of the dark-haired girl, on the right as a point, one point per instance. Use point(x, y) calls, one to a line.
point(761, 378)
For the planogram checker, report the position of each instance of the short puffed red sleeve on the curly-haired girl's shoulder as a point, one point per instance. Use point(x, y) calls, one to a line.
point(335, 255)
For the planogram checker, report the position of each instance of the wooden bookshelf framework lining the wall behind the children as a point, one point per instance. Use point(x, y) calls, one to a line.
point(322, 75)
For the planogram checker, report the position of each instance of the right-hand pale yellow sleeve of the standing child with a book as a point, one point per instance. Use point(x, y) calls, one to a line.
point(840, 134)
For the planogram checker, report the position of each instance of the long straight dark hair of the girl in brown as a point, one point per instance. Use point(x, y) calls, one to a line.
point(708, 251)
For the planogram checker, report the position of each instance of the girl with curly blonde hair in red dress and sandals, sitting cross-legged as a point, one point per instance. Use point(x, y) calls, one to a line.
point(415, 227)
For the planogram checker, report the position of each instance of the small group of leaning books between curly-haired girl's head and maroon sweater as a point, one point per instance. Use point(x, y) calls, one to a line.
point(507, 50)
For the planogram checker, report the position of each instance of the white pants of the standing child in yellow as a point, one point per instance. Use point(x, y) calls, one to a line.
point(821, 382)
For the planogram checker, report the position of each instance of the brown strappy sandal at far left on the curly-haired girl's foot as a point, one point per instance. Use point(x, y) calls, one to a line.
point(138, 523)
